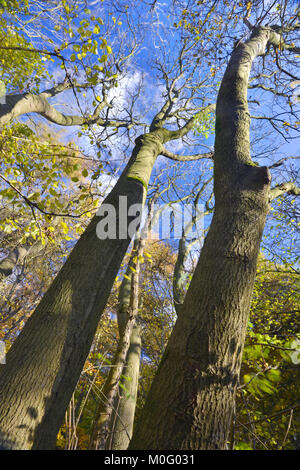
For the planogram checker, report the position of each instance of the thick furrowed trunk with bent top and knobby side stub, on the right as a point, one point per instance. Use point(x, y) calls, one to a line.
point(191, 400)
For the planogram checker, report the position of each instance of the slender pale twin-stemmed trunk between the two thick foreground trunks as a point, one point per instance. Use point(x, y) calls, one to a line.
point(119, 409)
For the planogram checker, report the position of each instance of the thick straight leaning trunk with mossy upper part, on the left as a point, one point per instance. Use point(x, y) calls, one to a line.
point(45, 362)
